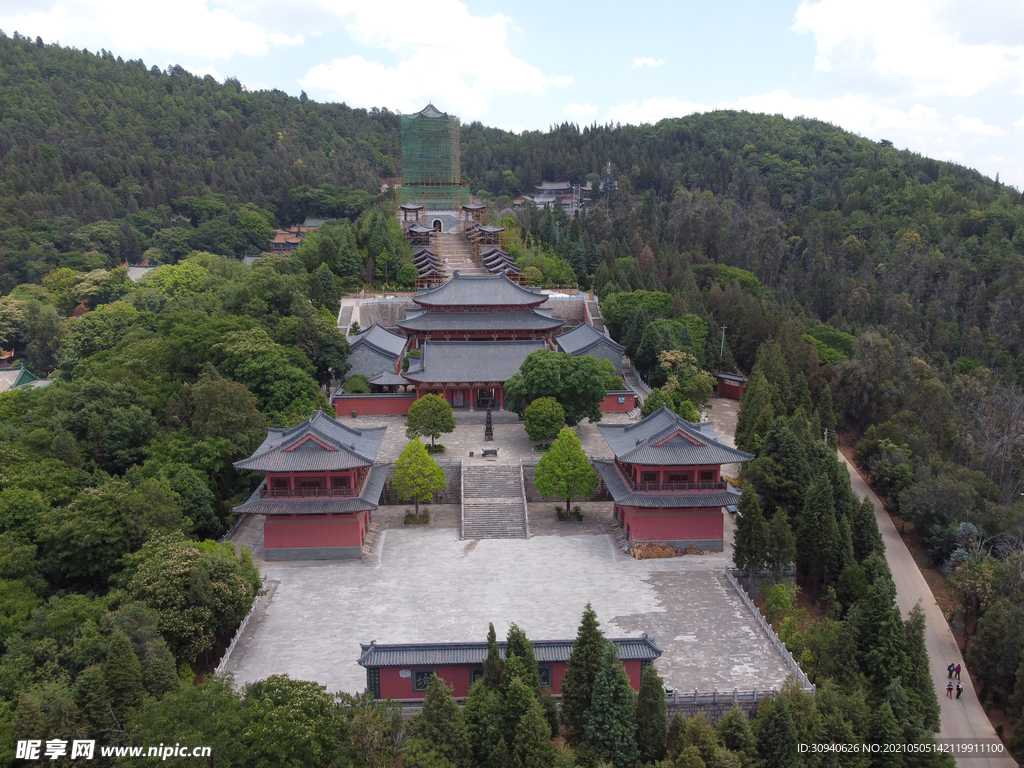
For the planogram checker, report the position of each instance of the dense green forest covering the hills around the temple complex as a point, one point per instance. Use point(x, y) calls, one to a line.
point(868, 291)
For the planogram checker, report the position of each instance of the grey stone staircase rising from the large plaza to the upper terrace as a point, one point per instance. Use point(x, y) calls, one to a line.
point(493, 505)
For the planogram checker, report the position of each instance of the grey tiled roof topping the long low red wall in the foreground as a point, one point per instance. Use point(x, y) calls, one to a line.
point(429, 655)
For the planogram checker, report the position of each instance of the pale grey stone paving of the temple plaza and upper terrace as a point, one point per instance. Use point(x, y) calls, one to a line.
point(425, 585)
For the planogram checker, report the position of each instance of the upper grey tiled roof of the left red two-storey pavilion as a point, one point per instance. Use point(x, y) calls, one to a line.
point(348, 448)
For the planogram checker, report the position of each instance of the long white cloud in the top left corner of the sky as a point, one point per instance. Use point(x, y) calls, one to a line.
point(189, 28)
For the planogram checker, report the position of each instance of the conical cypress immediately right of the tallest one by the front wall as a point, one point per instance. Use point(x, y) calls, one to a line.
point(611, 726)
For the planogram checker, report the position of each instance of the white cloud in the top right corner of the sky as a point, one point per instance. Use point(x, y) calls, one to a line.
point(912, 47)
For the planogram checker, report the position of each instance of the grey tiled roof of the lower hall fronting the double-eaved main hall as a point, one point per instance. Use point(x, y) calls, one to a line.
point(460, 362)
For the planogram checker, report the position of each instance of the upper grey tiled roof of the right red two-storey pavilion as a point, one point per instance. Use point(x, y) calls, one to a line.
point(685, 444)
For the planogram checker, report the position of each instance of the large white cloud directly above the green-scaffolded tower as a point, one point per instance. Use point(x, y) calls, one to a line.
point(448, 55)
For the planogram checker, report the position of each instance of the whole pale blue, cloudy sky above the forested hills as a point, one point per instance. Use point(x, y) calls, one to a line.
point(944, 78)
